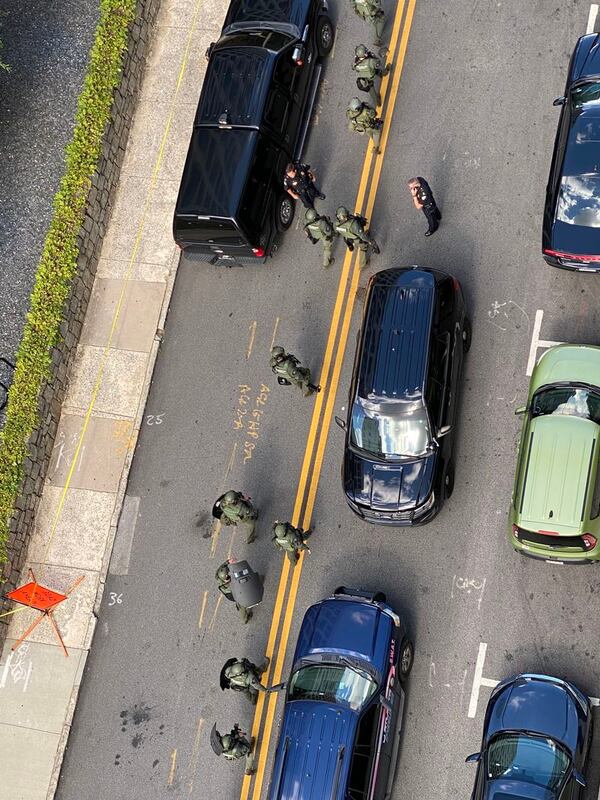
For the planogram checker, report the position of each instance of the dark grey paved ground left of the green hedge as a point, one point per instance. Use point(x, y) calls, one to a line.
point(46, 44)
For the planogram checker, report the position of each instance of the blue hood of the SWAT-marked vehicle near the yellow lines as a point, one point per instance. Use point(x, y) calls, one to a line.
point(349, 628)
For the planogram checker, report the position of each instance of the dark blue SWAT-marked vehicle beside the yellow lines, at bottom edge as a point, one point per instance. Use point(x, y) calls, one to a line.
point(340, 732)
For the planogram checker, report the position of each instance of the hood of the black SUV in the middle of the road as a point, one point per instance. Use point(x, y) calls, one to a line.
point(388, 486)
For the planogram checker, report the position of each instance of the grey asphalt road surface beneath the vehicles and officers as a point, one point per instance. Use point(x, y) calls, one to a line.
point(474, 115)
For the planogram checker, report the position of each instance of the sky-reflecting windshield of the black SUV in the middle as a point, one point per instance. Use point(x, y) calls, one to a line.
point(391, 429)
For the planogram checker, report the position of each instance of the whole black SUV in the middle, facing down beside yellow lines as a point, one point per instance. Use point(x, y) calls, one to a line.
point(398, 461)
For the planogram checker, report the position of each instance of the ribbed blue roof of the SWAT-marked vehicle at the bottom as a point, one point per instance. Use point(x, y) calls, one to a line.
point(315, 736)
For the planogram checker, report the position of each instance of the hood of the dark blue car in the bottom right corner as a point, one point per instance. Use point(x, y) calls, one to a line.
point(539, 706)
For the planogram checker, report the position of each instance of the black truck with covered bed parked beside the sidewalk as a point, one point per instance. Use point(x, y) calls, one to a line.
point(252, 118)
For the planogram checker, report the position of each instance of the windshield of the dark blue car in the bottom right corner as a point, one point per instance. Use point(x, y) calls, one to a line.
point(530, 759)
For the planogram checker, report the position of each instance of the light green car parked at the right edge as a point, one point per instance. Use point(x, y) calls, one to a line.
point(555, 508)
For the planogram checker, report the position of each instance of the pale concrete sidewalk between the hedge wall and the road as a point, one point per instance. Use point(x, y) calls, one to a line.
point(104, 407)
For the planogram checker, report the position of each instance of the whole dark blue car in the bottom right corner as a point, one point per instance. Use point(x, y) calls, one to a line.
point(536, 738)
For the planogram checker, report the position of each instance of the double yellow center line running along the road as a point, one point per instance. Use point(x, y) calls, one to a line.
point(331, 389)
